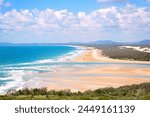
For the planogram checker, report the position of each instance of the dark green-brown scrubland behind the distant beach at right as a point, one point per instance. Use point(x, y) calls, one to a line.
point(114, 52)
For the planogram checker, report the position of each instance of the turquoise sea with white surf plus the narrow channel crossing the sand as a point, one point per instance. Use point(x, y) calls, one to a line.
point(19, 63)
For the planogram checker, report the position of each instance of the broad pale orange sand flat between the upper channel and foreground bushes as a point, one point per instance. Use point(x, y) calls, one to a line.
point(82, 79)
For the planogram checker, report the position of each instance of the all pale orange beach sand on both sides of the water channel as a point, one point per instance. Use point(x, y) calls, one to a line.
point(82, 78)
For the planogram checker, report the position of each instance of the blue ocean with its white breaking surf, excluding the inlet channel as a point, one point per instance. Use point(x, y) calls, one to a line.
point(16, 61)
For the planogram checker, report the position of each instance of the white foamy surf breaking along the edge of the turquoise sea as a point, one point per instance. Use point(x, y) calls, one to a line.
point(16, 78)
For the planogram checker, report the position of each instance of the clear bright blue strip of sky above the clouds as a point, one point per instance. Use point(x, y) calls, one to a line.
point(71, 5)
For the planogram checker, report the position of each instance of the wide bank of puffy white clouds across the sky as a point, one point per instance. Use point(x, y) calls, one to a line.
point(113, 22)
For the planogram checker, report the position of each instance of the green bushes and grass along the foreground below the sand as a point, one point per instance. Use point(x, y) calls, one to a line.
point(130, 92)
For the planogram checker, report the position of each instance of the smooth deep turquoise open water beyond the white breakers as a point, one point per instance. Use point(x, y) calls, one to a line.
point(25, 54)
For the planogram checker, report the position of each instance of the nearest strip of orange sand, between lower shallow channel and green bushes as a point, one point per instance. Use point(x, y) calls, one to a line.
point(92, 83)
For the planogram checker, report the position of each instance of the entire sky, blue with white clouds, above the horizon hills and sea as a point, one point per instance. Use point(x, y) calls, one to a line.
point(58, 21)
